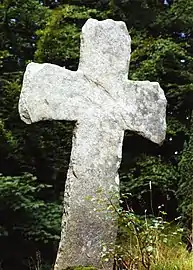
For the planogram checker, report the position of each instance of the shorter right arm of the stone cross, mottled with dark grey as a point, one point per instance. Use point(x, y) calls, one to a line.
point(147, 113)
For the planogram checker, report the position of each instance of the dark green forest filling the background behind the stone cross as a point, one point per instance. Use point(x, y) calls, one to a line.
point(34, 159)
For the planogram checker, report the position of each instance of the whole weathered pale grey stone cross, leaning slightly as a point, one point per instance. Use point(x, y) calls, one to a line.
point(104, 103)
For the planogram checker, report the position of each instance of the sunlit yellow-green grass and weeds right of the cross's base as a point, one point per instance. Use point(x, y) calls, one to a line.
point(153, 248)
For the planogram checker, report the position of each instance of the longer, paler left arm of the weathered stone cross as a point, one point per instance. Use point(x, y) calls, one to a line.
point(51, 92)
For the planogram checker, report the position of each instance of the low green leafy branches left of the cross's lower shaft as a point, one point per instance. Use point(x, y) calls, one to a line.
point(30, 214)
